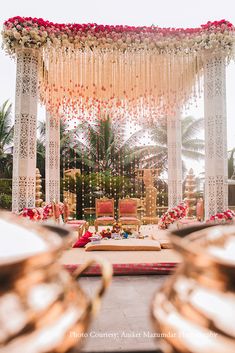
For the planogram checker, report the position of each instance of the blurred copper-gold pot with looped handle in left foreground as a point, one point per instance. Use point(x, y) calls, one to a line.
point(42, 307)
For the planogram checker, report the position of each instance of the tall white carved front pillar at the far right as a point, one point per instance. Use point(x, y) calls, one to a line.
point(216, 169)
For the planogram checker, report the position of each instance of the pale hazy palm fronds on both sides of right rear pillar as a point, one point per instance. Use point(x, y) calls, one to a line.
point(155, 155)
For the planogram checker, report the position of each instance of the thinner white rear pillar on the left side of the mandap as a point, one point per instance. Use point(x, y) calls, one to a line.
point(52, 158)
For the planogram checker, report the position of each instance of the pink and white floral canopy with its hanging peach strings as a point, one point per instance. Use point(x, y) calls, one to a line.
point(88, 70)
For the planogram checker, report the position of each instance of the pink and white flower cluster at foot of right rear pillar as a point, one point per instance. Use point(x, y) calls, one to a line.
point(172, 215)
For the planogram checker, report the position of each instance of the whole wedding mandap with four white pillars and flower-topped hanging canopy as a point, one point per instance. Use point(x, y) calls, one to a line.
point(82, 72)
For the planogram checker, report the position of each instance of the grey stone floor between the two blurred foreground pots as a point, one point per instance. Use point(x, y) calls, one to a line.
point(123, 323)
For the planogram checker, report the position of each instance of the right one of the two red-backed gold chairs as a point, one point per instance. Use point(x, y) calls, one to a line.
point(127, 210)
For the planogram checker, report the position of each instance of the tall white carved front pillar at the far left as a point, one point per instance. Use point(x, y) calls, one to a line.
point(25, 128)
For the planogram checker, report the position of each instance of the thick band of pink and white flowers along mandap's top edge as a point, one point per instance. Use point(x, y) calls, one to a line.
point(27, 32)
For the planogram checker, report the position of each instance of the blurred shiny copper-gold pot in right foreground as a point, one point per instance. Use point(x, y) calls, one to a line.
point(195, 310)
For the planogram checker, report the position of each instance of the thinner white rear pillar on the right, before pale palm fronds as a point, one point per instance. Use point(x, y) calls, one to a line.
point(174, 160)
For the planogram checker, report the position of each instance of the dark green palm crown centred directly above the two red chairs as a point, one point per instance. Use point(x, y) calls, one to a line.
point(102, 146)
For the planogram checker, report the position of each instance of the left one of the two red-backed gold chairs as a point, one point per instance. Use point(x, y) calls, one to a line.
point(104, 209)
